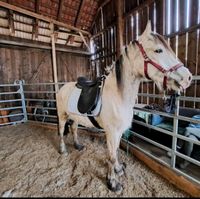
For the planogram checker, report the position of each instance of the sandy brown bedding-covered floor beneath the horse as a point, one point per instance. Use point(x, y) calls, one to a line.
point(30, 166)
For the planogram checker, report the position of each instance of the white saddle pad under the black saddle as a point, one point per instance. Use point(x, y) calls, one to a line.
point(73, 103)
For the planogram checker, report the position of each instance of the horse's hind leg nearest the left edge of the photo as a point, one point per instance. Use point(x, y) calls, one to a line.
point(62, 121)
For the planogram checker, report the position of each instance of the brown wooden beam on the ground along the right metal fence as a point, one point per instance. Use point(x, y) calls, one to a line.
point(179, 181)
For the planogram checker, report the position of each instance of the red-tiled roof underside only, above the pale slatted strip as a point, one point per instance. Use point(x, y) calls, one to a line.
point(78, 13)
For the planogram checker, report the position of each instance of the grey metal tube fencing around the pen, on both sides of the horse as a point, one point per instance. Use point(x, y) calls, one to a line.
point(39, 106)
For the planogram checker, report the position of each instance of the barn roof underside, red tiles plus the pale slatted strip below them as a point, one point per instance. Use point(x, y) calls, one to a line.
point(76, 13)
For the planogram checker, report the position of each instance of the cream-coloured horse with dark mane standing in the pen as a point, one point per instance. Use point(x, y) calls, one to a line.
point(149, 57)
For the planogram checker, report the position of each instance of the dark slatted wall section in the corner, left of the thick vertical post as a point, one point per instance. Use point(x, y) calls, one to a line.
point(105, 35)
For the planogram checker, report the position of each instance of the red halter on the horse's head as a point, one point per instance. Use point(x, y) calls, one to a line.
point(147, 61)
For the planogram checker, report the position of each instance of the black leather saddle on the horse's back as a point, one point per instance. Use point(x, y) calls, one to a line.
point(89, 95)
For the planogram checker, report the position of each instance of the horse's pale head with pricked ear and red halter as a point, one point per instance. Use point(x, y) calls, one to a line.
point(160, 62)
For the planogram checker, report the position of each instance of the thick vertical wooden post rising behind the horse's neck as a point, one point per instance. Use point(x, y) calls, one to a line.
point(120, 26)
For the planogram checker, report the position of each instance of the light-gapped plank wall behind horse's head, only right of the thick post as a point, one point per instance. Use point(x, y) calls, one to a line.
point(185, 38)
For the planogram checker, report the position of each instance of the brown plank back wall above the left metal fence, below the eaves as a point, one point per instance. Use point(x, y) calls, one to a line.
point(35, 65)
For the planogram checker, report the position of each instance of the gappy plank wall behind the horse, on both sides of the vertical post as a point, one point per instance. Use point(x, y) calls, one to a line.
point(184, 40)
